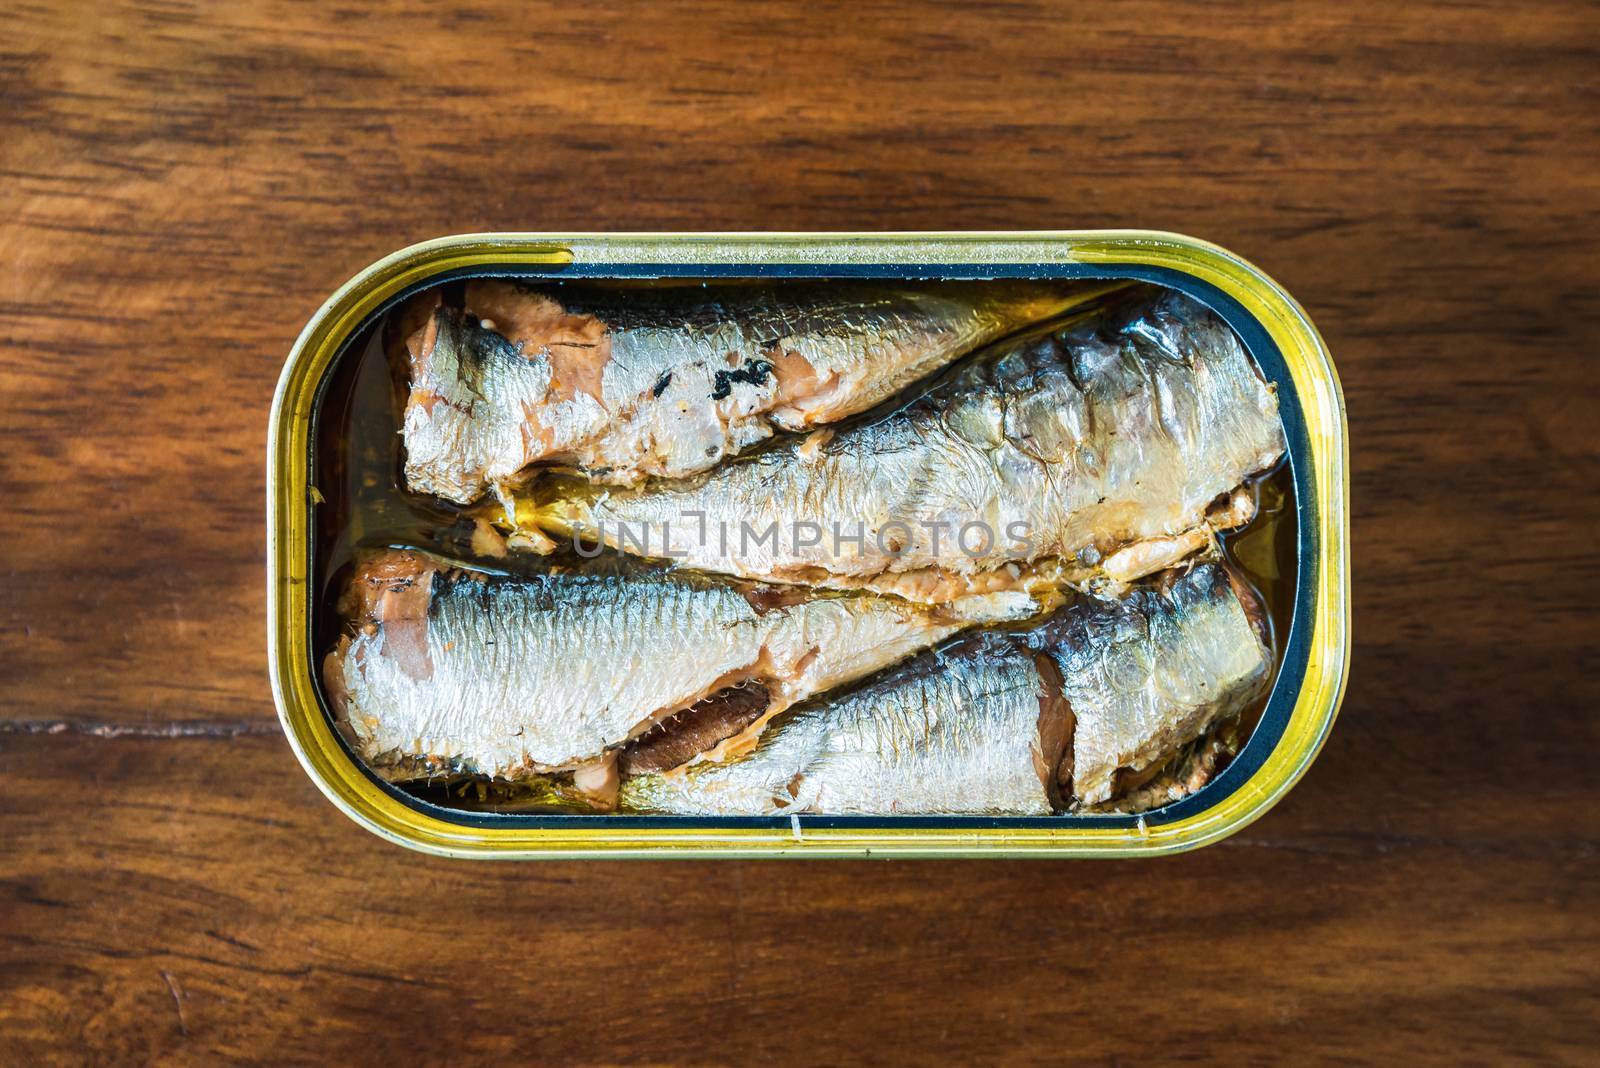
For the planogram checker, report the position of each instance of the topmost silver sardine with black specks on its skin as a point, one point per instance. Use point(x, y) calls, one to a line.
point(625, 385)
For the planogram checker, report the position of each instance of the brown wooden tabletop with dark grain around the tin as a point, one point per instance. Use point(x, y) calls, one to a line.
point(185, 183)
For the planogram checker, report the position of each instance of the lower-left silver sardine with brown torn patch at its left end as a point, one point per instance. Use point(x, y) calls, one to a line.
point(462, 672)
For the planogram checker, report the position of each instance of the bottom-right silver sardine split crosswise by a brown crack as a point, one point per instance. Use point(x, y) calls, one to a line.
point(1001, 723)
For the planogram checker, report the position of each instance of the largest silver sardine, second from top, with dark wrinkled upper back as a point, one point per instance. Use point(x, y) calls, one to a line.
point(1092, 453)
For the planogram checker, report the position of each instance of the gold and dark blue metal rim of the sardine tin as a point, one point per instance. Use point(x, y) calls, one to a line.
point(1298, 712)
